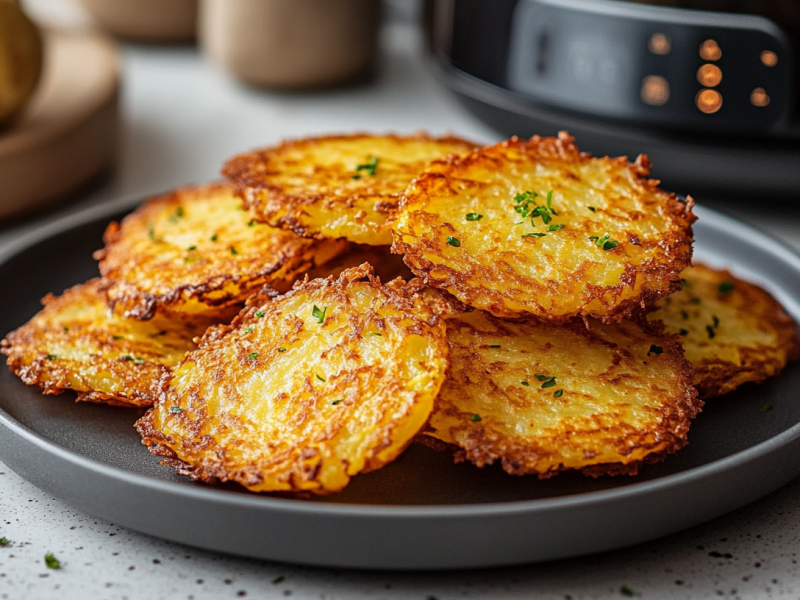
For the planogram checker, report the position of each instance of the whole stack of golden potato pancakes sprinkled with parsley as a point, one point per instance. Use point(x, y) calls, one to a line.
point(341, 296)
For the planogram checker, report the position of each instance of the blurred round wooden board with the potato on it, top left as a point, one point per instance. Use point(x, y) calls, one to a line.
point(65, 132)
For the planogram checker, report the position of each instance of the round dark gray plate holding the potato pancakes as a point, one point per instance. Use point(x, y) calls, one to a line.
point(422, 511)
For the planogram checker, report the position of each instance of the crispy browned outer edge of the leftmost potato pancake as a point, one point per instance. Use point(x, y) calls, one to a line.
point(31, 374)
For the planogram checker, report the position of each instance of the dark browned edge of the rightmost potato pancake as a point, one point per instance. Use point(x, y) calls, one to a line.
point(715, 377)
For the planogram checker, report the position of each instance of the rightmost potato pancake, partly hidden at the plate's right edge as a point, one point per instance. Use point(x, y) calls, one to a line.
point(732, 331)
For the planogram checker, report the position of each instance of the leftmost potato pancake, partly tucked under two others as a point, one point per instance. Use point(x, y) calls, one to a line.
point(76, 343)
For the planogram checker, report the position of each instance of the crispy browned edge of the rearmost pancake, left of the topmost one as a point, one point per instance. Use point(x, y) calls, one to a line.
point(263, 199)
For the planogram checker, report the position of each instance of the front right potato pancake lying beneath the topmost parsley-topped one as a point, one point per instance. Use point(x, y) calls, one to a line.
point(544, 398)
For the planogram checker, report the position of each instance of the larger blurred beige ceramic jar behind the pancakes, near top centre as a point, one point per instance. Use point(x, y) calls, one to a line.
point(291, 44)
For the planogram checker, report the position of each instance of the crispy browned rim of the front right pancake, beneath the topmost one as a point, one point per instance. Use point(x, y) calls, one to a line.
point(676, 417)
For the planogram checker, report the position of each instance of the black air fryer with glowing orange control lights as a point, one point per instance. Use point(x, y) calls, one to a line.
point(708, 89)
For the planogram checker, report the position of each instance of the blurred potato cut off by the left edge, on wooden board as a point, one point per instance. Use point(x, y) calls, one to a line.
point(20, 59)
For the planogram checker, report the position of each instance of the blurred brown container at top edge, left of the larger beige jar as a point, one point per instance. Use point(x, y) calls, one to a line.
point(158, 21)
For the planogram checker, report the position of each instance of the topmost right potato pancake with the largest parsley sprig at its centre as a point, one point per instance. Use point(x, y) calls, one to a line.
point(535, 227)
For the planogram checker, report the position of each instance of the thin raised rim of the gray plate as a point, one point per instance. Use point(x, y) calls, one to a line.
point(732, 225)
